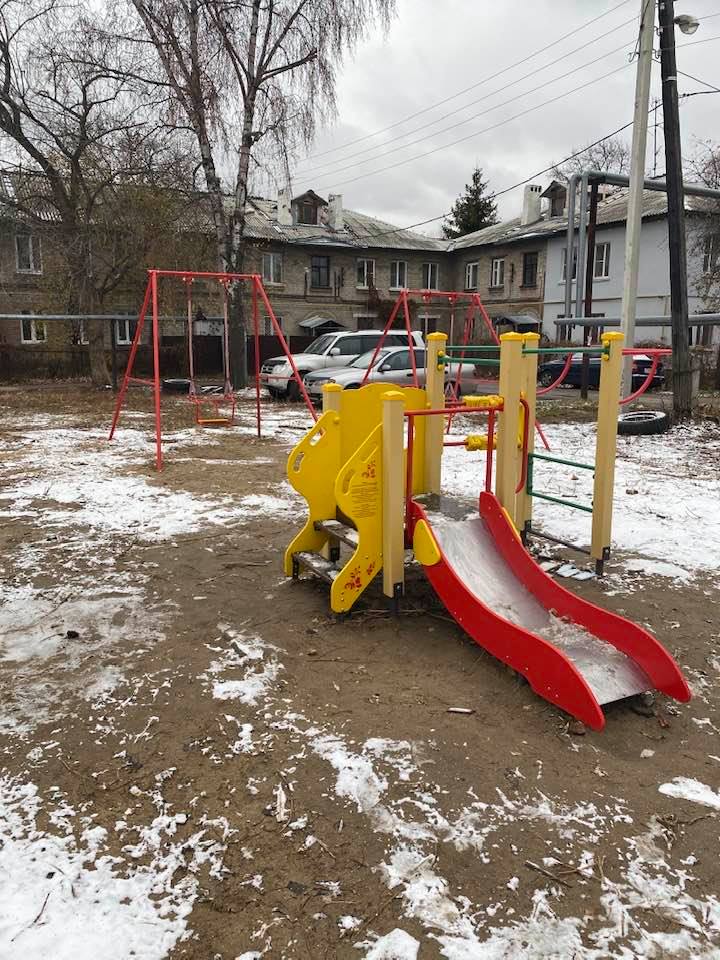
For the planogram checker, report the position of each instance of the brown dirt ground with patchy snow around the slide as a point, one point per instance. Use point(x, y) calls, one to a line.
point(230, 772)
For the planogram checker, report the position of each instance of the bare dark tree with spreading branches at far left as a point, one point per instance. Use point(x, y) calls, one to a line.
point(84, 160)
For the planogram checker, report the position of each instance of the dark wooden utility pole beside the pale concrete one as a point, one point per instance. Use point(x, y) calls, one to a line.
point(681, 374)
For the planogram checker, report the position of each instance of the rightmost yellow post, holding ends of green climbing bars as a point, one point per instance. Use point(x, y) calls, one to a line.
point(608, 406)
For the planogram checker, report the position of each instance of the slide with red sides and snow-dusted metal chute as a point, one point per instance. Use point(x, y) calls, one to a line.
point(573, 653)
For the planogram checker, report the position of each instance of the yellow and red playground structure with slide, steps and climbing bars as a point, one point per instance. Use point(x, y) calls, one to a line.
point(370, 470)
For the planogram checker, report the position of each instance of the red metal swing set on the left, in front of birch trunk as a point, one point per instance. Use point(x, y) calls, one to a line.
point(198, 398)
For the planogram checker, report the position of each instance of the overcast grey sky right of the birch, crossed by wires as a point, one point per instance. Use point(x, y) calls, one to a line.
point(436, 48)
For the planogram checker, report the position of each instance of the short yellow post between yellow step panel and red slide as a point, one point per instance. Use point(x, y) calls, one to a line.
point(393, 508)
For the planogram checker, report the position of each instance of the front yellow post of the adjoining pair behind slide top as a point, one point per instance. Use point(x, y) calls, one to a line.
point(507, 471)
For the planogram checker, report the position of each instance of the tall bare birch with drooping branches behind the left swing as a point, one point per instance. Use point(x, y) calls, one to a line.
point(248, 76)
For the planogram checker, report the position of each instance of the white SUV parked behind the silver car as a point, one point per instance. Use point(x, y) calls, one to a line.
point(336, 349)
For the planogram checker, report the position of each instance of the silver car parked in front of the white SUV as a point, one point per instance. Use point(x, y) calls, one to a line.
point(392, 365)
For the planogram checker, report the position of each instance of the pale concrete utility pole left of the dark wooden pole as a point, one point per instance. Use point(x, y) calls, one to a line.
point(637, 176)
